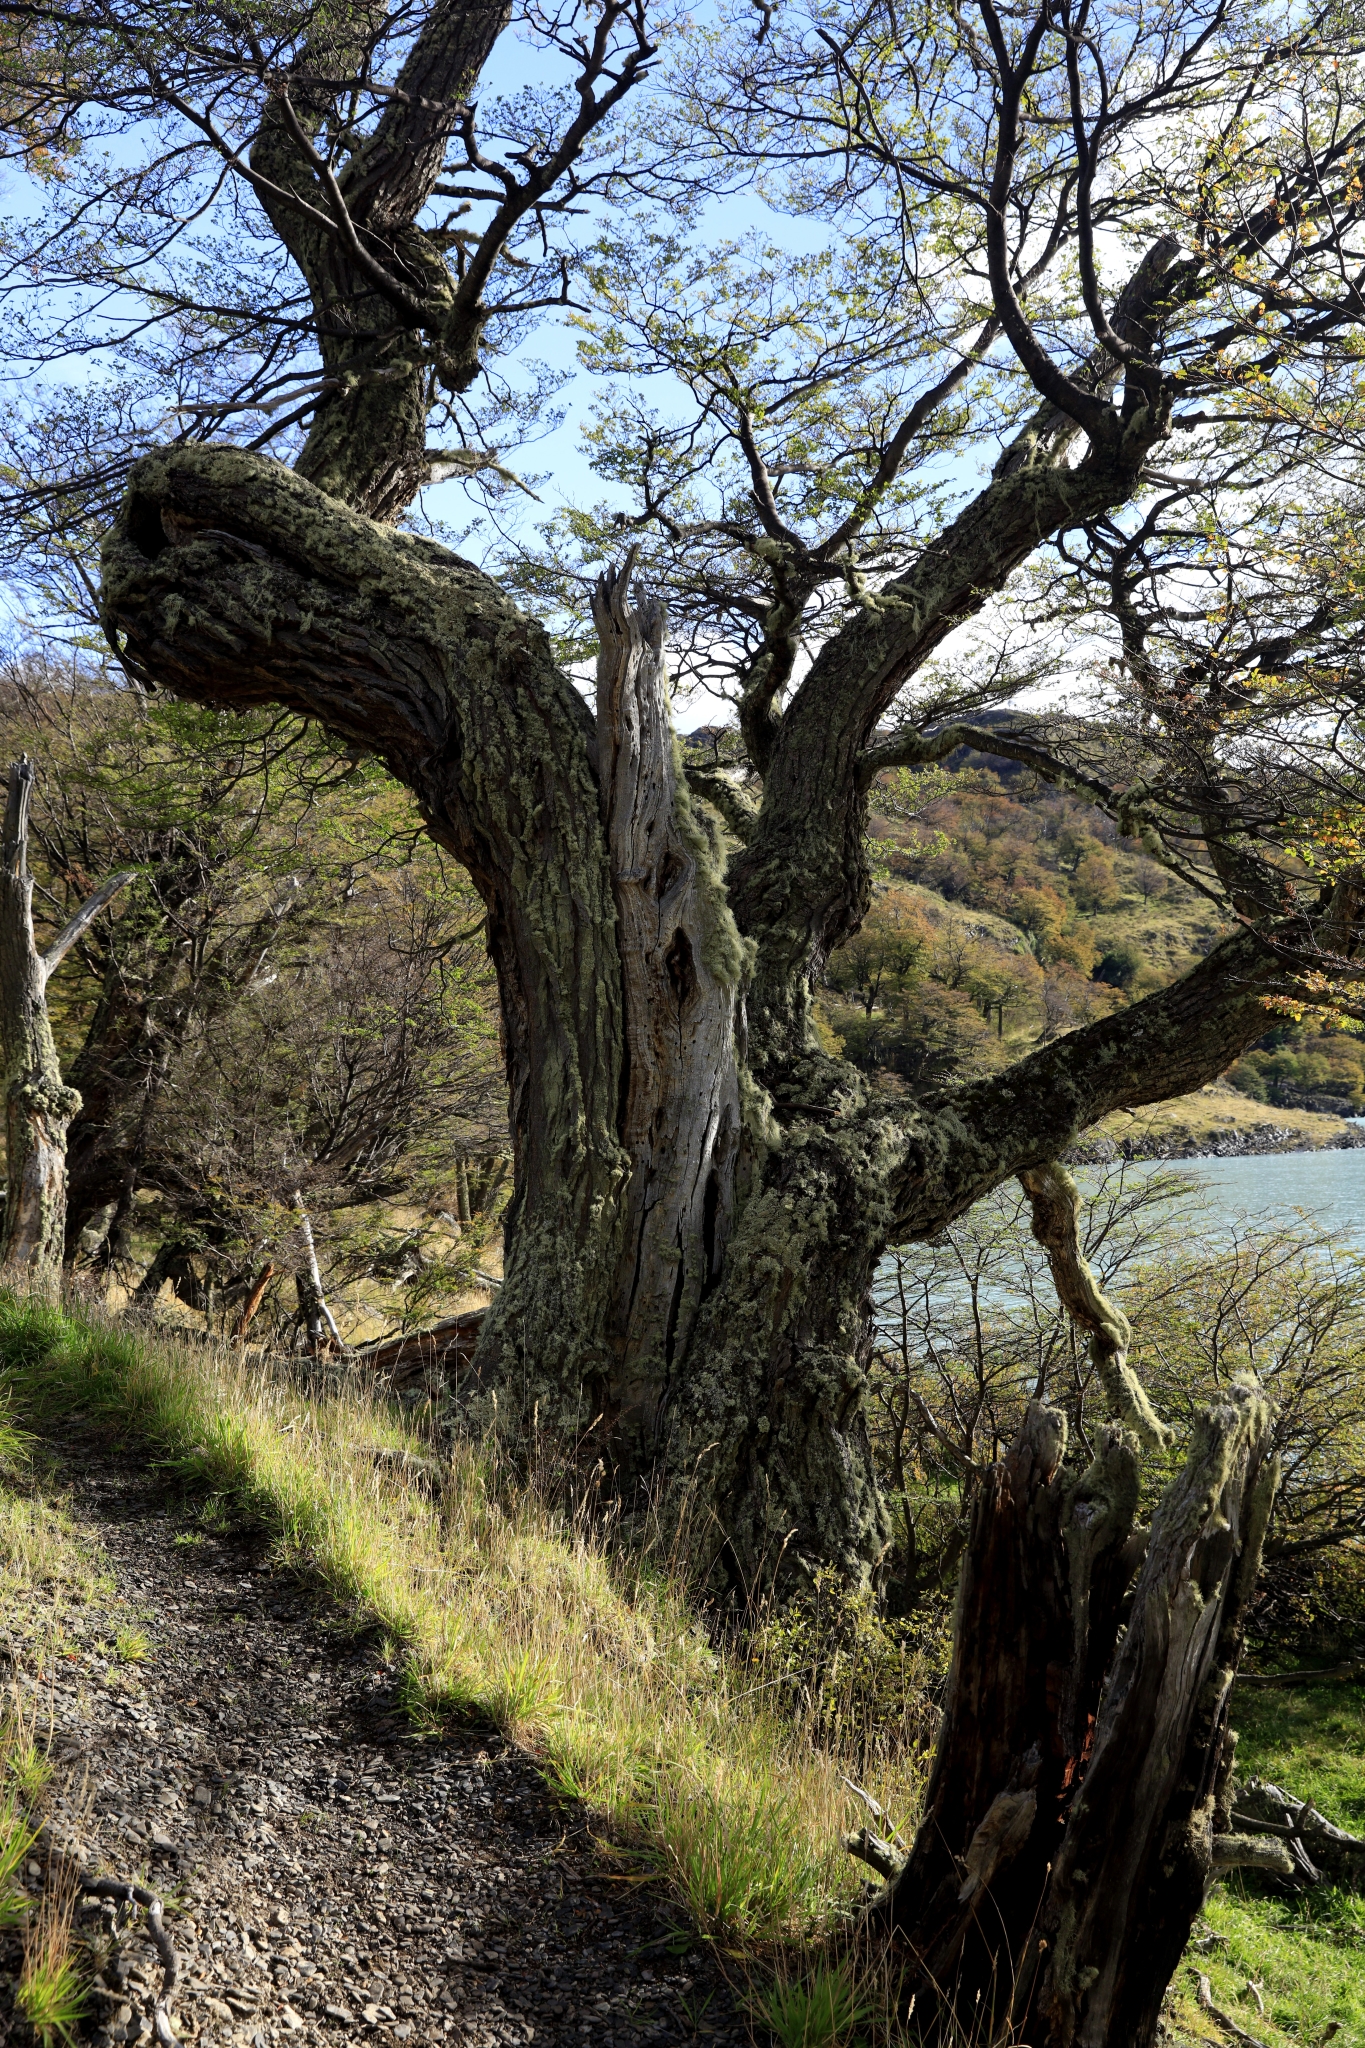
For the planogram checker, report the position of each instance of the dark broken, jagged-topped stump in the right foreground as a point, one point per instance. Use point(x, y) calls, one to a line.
point(1069, 1828)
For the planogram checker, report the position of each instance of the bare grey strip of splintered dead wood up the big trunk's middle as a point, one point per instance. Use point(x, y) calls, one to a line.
point(682, 968)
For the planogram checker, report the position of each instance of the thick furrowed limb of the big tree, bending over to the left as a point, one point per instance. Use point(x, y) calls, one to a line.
point(238, 583)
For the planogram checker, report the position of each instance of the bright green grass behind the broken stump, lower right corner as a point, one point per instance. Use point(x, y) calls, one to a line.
point(1307, 1955)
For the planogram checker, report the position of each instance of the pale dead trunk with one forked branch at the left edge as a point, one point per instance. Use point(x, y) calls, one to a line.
point(38, 1103)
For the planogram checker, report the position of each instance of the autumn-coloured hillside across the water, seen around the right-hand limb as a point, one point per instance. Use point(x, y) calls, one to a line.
point(1010, 914)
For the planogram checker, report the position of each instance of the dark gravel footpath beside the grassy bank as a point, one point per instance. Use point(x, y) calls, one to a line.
point(326, 1871)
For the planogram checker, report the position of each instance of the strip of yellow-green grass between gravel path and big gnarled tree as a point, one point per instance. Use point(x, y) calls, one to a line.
point(502, 1609)
